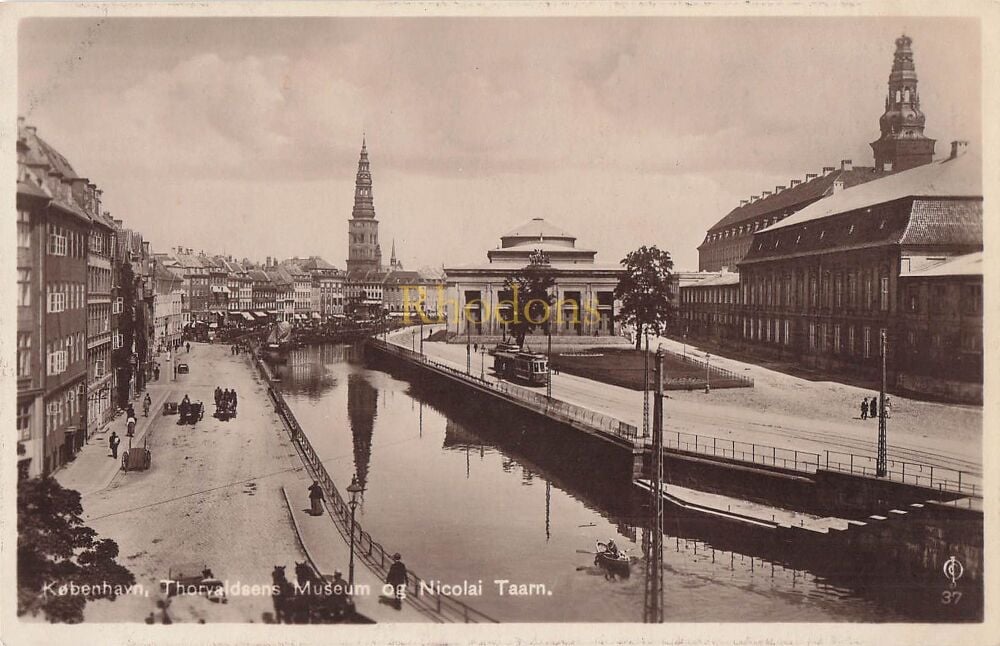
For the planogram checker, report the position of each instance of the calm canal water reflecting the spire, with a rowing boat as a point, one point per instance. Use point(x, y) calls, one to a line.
point(471, 494)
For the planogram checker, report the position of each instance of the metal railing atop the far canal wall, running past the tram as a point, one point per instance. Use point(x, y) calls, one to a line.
point(563, 411)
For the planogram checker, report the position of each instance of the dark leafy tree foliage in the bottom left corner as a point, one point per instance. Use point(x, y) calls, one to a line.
point(55, 548)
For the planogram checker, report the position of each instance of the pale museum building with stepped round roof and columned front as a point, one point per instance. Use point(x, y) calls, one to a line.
point(584, 288)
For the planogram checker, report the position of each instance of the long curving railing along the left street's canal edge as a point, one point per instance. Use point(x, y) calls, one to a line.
point(367, 549)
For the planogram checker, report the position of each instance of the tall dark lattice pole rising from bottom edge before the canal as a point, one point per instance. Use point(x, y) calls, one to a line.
point(653, 608)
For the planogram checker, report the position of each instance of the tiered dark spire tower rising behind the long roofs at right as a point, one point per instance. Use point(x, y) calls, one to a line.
point(902, 144)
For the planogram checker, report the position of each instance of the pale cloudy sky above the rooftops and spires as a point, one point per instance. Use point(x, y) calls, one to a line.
point(241, 136)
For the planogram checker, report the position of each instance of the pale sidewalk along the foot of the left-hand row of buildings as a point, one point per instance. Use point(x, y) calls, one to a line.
point(94, 469)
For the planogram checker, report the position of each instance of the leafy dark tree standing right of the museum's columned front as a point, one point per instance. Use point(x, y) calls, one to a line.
point(646, 292)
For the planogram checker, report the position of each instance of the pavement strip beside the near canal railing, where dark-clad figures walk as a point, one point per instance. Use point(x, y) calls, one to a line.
point(330, 551)
